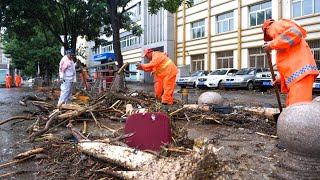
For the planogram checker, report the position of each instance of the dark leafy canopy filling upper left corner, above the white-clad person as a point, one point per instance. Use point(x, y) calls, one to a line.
point(66, 20)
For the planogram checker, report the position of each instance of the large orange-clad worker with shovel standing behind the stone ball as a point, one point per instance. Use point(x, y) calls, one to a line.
point(295, 61)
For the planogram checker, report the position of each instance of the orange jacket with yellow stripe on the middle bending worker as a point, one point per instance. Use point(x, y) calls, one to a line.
point(160, 65)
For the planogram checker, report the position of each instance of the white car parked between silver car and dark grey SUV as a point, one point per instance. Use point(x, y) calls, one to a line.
point(214, 78)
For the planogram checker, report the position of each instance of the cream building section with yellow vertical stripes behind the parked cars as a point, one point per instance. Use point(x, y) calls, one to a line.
point(227, 33)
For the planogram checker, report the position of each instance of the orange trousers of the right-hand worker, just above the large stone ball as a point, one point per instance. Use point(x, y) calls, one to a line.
point(301, 91)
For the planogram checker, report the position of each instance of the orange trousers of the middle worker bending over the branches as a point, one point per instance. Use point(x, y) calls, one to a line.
point(164, 88)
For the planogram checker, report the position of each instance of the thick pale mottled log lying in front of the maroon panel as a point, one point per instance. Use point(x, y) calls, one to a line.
point(129, 158)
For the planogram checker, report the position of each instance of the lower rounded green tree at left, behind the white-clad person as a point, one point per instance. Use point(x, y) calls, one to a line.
point(41, 47)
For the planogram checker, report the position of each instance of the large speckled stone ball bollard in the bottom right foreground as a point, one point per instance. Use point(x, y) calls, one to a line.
point(298, 129)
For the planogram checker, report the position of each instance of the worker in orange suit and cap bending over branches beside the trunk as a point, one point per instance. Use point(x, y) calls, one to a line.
point(165, 72)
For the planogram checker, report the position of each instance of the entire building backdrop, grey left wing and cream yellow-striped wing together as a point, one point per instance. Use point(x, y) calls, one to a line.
point(212, 34)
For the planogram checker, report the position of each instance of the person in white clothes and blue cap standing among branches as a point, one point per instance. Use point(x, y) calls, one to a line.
point(67, 73)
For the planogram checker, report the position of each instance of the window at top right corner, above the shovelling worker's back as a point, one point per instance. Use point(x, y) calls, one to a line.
point(305, 7)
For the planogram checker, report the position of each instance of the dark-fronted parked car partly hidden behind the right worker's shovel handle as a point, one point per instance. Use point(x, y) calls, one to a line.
point(263, 80)
